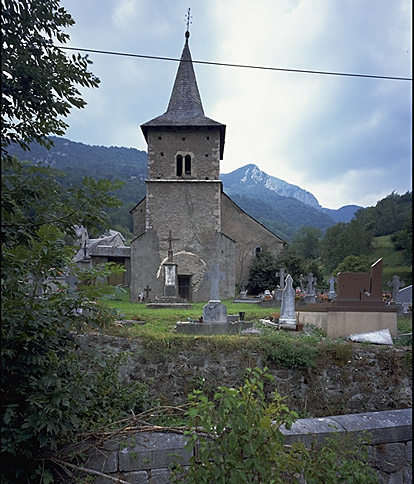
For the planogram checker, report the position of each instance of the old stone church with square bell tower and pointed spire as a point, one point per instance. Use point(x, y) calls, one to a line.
point(186, 224)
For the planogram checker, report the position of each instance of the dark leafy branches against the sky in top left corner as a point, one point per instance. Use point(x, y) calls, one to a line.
point(38, 79)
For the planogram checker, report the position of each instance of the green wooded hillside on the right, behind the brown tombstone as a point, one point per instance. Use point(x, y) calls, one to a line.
point(383, 231)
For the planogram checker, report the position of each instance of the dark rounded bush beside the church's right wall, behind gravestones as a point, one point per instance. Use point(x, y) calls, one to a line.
point(262, 272)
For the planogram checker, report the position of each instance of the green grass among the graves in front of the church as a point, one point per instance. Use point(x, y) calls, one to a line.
point(160, 340)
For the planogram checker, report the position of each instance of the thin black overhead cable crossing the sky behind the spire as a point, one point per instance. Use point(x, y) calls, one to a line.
point(303, 71)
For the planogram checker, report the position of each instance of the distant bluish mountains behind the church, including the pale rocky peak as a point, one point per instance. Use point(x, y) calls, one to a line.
point(278, 205)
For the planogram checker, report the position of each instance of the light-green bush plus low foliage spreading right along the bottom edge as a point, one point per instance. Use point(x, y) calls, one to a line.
point(237, 438)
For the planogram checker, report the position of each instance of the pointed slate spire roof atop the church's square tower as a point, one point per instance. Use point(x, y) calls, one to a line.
point(185, 108)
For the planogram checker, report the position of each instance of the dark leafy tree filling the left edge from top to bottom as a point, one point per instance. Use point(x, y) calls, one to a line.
point(48, 392)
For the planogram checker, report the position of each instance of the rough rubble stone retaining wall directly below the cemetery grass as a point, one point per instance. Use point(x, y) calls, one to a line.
point(350, 378)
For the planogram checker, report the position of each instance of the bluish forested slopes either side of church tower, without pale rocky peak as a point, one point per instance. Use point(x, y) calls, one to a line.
point(283, 215)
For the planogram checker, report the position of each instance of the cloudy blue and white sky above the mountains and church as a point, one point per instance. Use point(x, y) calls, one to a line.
point(347, 140)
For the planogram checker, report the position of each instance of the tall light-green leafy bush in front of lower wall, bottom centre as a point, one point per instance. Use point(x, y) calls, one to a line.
point(239, 442)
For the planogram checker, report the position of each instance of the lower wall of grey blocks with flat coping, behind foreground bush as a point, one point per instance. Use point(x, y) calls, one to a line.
point(149, 455)
